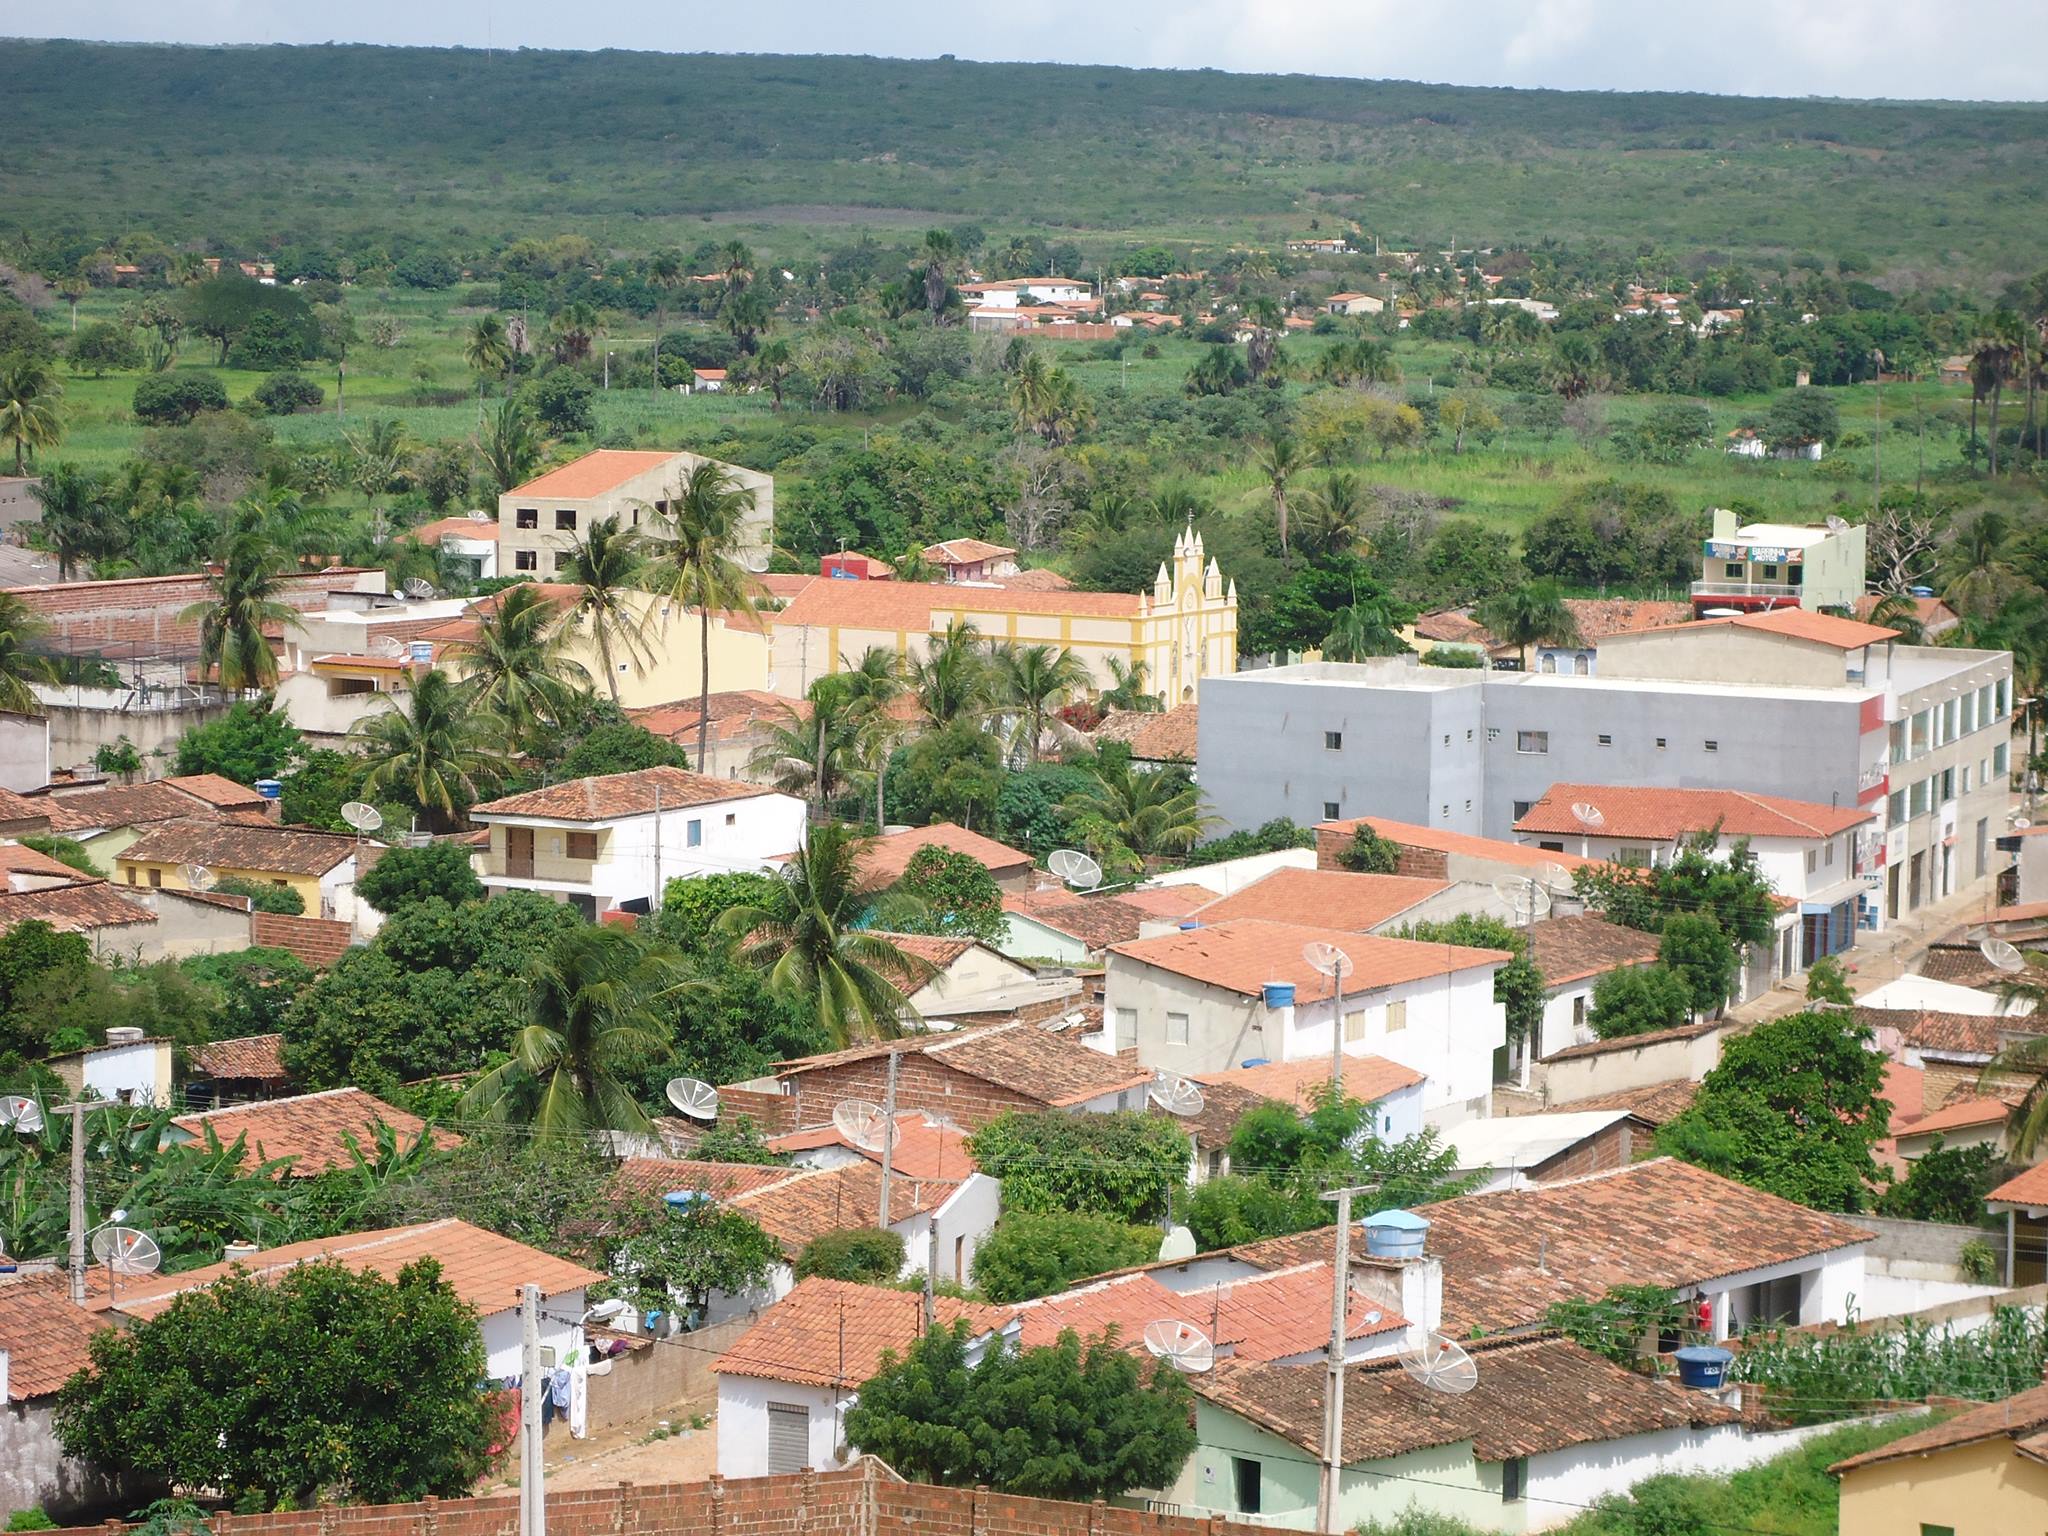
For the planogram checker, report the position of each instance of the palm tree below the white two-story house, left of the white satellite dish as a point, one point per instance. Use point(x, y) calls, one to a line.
point(591, 1021)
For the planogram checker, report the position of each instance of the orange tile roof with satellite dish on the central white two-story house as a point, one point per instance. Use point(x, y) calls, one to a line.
point(1244, 955)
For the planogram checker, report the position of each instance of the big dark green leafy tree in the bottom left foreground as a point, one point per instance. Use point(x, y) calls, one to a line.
point(259, 1388)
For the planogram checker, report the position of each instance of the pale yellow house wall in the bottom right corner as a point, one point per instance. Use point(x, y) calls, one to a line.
point(1983, 1490)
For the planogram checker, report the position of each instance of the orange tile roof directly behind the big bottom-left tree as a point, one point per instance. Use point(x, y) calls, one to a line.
point(480, 1267)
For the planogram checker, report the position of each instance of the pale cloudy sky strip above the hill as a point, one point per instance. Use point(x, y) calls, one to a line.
point(1969, 50)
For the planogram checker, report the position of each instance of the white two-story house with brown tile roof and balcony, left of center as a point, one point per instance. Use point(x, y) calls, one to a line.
point(611, 843)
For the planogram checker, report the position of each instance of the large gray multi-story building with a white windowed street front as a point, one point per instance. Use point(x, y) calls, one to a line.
point(1791, 703)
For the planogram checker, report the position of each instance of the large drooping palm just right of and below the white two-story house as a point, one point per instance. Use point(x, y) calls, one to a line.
point(814, 953)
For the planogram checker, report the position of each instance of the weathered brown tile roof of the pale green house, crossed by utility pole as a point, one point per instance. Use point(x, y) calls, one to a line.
point(1535, 1396)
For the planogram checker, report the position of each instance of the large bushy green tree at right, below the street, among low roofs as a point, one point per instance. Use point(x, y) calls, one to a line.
point(1793, 1109)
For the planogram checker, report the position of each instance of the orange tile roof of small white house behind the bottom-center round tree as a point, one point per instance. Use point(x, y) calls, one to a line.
point(835, 1334)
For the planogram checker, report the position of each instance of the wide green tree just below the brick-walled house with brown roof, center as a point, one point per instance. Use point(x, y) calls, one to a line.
point(1121, 1166)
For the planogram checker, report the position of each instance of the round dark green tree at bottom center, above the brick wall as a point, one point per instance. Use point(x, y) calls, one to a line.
point(1064, 1422)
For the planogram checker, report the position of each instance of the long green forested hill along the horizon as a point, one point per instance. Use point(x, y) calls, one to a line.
point(269, 144)
